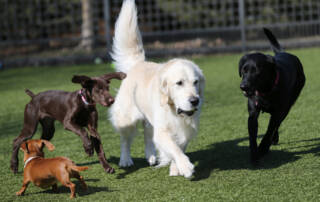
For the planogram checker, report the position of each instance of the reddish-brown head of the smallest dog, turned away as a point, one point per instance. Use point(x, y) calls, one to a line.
point(35, 148)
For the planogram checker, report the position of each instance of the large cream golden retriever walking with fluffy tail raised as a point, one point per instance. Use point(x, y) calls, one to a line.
point(154, 94)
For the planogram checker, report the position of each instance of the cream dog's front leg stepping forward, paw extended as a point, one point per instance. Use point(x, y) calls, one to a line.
point(165, 143)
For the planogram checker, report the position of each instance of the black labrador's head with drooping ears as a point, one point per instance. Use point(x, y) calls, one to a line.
point(257, 71)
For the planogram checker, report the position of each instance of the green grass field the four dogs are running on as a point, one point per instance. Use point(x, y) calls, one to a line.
point(290, 172)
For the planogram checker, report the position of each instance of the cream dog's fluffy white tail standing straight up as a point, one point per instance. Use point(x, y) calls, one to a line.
point(127, 47)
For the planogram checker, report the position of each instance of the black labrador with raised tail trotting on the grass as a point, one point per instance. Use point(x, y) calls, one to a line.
point(272, 84)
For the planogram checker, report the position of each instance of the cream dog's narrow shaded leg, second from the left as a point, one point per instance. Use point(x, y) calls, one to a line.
point(150, 151)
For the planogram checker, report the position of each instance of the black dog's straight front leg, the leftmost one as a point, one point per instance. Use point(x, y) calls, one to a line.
point(253, 129)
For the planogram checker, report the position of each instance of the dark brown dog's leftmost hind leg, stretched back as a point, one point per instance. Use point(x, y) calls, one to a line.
point(29, 128)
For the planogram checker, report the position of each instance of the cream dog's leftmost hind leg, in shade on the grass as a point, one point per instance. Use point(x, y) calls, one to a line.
point(126, 137)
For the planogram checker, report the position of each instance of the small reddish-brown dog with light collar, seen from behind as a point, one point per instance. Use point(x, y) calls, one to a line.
point(46, 172)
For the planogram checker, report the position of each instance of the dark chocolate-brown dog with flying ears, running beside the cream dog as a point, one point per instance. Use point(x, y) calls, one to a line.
point(75, 110)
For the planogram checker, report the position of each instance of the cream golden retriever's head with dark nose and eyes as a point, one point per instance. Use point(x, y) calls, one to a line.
point(182, 86)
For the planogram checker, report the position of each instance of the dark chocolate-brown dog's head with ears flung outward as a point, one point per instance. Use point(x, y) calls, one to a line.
point(97, 88)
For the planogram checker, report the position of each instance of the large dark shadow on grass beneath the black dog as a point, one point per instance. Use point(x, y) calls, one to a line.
point(228, 155)
